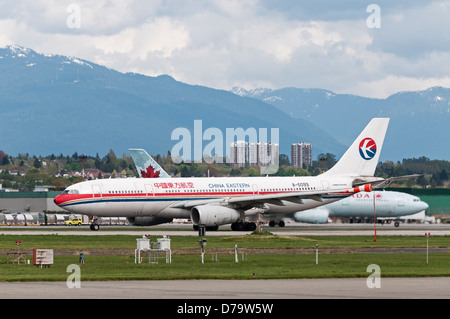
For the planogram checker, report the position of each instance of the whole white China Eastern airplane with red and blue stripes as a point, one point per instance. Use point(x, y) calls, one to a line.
point(215, 201)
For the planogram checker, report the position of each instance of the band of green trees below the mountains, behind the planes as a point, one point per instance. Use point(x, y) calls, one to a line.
point(24, 172)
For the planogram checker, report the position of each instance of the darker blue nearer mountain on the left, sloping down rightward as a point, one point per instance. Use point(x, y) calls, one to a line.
point(59, 104)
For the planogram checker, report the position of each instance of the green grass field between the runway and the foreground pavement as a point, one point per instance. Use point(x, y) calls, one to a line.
point(115, 263)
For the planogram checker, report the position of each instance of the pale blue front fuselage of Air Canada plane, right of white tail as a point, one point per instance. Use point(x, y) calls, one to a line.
point(388, 204)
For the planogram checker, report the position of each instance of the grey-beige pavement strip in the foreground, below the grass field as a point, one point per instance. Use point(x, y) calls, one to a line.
point(333, 288)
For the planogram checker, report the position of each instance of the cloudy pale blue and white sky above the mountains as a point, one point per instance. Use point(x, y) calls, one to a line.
point(343, 46)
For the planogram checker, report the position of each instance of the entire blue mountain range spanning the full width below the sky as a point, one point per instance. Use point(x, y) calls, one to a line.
point(52, 104)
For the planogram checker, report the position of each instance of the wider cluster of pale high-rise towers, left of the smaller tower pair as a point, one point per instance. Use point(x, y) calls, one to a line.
point(261, 153)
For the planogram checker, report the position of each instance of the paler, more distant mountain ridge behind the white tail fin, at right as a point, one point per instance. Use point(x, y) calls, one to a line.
point(419, 125)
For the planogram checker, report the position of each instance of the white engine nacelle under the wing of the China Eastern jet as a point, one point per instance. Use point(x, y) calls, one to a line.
point(214, 215)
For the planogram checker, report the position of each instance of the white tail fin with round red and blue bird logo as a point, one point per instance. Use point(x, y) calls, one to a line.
point(361, 158)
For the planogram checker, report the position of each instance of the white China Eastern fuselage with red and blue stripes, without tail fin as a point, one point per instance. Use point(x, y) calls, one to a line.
point(134, 197)
